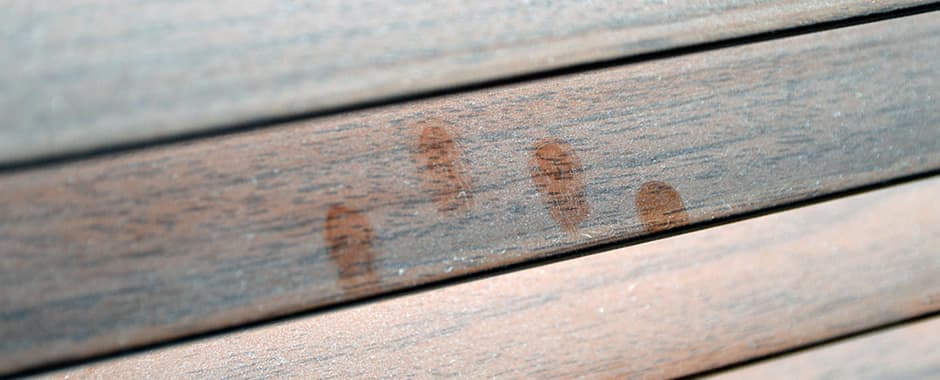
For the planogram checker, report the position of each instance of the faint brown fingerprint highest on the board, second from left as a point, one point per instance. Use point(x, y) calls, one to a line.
point(440, 164)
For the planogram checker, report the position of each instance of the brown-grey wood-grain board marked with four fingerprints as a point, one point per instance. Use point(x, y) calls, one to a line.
point(135, 248)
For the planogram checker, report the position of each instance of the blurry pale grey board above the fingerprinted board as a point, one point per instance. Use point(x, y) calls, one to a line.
point(93, 73)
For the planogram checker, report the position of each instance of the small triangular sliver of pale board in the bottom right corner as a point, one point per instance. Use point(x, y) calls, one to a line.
point(910, 351)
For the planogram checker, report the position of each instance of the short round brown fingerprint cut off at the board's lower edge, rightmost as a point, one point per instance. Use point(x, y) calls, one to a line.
point(660, 207)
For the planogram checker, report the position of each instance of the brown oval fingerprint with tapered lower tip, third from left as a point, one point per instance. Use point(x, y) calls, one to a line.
point(559, 178)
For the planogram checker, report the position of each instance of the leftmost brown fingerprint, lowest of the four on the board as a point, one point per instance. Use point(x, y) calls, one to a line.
point(349, 238)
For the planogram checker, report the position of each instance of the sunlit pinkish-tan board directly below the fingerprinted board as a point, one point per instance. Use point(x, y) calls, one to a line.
point(662, 309)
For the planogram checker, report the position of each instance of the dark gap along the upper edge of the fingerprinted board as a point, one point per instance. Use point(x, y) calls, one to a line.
point(251, 125)
